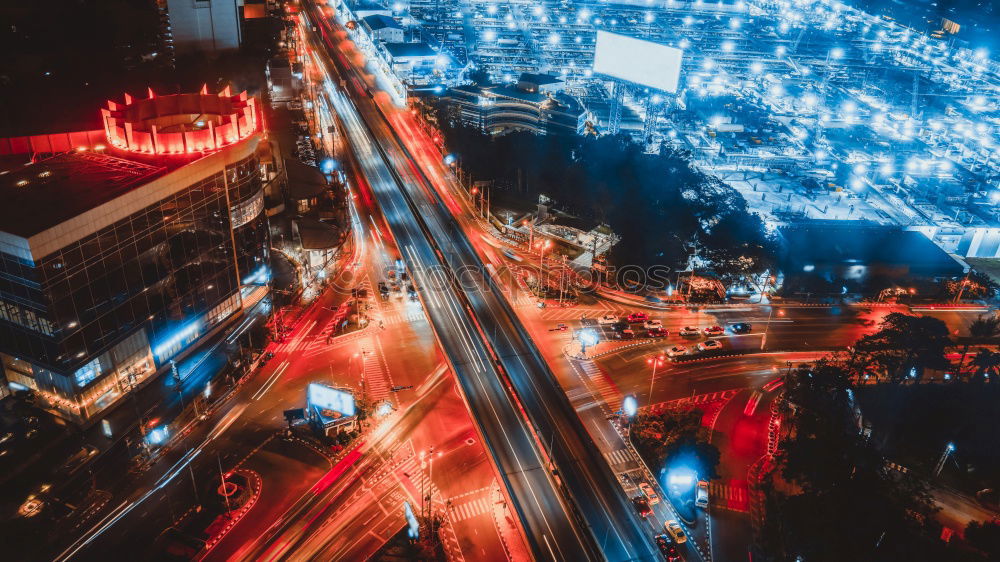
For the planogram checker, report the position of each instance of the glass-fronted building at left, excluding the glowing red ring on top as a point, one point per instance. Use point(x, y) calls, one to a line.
point(93, 305)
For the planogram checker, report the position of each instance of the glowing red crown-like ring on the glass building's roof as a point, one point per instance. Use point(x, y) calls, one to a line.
point(180, 123)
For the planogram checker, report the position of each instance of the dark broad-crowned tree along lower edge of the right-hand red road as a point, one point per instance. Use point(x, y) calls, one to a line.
point(903, 344)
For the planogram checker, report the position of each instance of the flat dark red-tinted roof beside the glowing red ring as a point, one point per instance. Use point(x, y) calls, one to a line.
point(40, 195)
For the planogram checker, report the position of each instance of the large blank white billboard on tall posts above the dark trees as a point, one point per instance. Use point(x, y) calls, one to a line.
point(641, 62)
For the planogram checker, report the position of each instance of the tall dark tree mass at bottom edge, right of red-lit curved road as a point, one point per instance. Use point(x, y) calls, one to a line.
point(831, 496)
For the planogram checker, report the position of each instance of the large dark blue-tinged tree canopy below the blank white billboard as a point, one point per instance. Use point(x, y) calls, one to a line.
point(658, 203)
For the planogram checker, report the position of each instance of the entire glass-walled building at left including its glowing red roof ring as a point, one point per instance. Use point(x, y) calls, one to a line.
point(121, 247)
